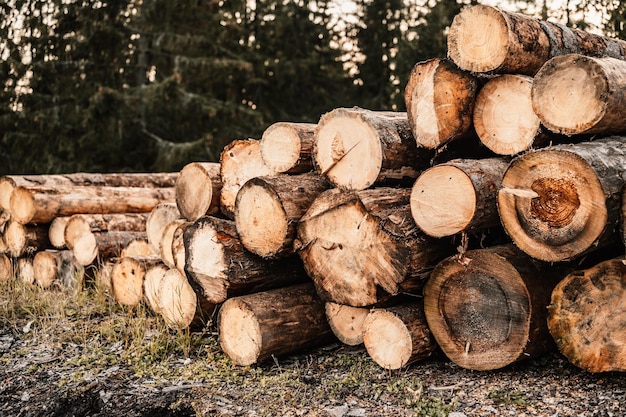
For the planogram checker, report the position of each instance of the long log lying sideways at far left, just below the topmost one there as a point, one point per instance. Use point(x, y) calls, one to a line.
point(42, 205)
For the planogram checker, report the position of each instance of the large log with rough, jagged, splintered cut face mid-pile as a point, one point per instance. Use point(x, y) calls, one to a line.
point(361, 247)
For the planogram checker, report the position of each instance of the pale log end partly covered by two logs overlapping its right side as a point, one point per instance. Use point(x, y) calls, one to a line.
point(239, 161)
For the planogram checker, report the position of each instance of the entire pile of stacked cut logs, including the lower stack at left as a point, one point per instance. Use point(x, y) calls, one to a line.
point(486, 221)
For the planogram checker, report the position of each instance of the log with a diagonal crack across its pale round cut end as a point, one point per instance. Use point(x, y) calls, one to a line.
point(357, 148)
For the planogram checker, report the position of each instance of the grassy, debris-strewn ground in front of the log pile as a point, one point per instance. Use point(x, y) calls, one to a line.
point(80, 354)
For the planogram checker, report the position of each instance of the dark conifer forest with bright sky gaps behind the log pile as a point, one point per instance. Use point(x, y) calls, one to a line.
point(150, 85)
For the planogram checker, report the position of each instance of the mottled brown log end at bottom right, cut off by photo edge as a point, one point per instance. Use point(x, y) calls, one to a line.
point(587, 317)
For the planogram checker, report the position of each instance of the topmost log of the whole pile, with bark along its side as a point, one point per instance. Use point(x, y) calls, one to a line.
point(485, 39)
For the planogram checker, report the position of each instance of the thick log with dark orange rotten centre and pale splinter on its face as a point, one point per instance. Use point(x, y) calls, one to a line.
point(559, 203)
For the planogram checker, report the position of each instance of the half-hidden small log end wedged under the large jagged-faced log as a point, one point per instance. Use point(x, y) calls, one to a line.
point(346, 322)
